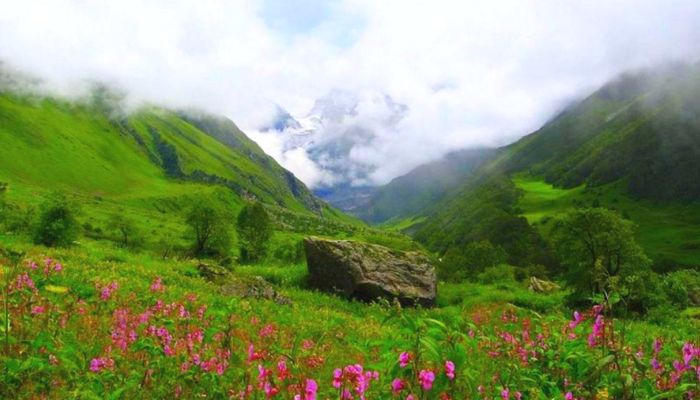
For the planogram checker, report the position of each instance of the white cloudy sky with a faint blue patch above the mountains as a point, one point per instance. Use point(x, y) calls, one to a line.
point(472, 73)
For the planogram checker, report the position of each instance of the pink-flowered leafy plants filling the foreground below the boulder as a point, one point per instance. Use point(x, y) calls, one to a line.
point(108, 341)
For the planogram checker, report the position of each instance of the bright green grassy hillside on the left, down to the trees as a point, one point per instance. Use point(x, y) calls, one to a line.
point(150, 166)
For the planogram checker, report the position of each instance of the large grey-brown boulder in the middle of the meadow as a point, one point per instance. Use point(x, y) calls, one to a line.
point(368, 272)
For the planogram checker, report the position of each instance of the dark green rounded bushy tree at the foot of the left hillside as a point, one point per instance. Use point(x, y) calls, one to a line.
point(57, 225)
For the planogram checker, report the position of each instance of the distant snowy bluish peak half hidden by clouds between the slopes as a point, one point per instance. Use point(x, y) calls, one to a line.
point(340, 125)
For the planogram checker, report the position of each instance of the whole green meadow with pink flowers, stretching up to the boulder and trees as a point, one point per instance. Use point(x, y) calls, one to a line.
point(97, 321)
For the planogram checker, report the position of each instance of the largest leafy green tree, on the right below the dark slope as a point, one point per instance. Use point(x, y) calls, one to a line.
point(597, 247)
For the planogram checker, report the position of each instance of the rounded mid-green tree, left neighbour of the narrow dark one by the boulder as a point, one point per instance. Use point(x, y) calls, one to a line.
point(211, 229)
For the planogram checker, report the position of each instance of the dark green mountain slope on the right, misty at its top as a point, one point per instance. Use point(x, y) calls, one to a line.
point(633, 146)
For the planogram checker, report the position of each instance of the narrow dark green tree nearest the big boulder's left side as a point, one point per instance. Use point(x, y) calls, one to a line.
point(254, 232)
